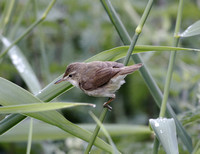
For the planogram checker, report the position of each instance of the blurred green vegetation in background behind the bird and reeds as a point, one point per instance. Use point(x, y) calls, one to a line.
point(76, 30)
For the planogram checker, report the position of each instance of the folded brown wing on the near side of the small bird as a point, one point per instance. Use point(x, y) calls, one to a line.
point(99, 78)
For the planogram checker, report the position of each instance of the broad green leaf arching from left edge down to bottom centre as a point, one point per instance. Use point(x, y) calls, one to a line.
point(11, 94)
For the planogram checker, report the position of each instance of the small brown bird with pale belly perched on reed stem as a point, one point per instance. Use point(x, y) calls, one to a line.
point(98, 78)
